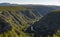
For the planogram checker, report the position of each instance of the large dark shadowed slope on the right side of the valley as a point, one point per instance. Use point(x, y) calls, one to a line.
point(47, 25)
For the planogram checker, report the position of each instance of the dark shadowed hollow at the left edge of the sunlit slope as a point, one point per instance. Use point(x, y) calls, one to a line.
point(4, 26)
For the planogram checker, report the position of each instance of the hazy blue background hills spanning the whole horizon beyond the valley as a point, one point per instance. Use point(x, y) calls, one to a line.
point(41, 9)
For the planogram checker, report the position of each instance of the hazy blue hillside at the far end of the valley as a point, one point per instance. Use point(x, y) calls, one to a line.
point(43, 9)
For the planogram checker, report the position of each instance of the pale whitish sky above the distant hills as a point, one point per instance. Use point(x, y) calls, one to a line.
point(44, 2)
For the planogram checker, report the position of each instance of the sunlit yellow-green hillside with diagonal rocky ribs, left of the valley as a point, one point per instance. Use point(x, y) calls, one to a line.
point(19, 18)
